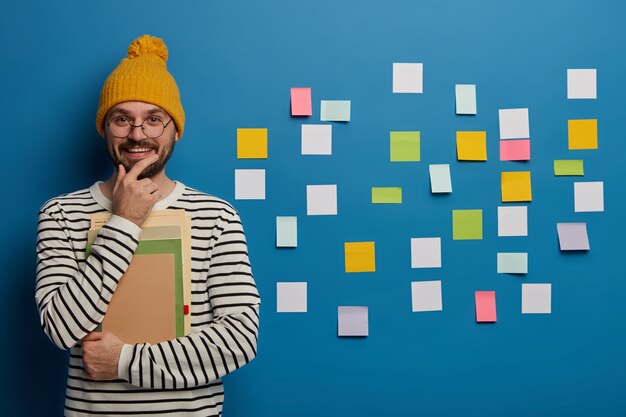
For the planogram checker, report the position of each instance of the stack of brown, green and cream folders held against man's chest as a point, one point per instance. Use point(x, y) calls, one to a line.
point(149, 302)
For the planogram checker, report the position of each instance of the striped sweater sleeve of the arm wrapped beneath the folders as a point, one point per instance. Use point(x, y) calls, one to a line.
point(225, 344)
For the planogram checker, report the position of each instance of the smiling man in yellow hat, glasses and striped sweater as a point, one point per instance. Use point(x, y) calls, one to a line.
point(141, 118)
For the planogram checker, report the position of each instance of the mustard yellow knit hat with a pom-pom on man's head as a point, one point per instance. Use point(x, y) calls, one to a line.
point(142, 76)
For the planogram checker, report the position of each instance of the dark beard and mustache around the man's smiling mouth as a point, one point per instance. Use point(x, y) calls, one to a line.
point(115, 153)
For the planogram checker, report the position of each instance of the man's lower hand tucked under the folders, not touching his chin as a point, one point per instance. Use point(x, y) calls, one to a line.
point(101, 353)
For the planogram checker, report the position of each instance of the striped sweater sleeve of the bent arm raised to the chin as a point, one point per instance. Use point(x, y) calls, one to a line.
point(72, 297)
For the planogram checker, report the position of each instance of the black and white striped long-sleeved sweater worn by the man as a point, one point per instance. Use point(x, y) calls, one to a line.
point(177, 377)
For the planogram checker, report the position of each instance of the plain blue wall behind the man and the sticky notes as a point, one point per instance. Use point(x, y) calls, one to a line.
point(235, 63)
